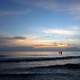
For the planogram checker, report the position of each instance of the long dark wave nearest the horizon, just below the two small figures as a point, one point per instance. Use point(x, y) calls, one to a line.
point(36, 59)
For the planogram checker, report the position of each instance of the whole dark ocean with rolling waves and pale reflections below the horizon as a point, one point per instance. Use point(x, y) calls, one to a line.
point(39, 65)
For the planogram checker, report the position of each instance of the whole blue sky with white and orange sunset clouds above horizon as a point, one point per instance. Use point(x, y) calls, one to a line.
point(39, 24)
